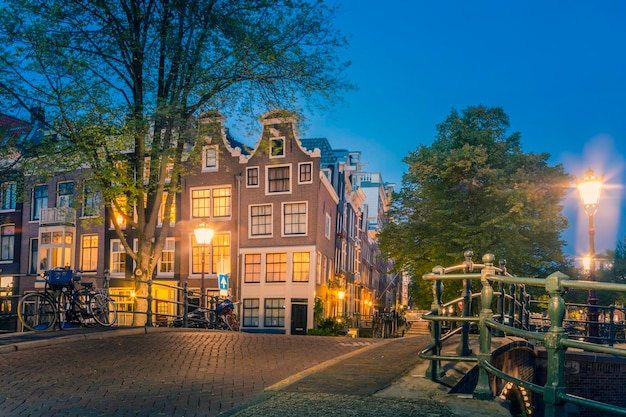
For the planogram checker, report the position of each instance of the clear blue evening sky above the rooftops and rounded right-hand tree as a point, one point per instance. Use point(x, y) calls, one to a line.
point(557, 68)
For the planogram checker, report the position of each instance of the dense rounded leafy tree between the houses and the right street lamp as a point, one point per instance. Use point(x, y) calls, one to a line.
point(474, 188)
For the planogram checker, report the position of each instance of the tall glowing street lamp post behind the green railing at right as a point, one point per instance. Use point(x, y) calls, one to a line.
point(589, 188)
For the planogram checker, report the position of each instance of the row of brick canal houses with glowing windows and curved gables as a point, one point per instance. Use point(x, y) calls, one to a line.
point(292, 221)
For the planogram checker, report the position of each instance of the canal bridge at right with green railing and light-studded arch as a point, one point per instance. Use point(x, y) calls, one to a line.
point(487, 345)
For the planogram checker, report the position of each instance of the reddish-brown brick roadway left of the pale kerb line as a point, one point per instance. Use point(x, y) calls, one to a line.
point(156, 373)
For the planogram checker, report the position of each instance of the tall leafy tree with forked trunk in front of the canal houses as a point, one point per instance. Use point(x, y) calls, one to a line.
point(122, 81)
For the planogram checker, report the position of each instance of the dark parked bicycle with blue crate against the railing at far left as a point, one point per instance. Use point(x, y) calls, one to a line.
point(66, 301)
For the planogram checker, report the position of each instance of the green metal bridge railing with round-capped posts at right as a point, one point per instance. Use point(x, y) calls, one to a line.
point(555, 339)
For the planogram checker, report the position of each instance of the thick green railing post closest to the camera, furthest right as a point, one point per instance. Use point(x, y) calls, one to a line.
point(555, 382)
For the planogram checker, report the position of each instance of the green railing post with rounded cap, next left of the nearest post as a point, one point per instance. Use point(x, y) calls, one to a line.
point(483, 388)
